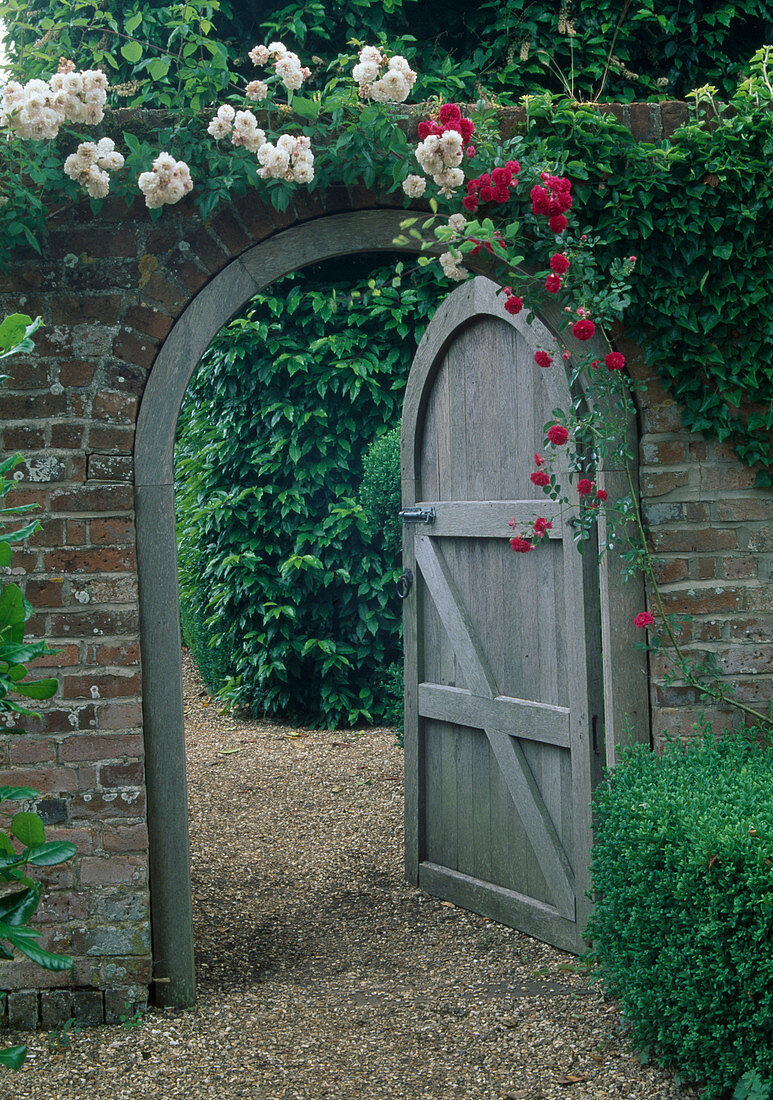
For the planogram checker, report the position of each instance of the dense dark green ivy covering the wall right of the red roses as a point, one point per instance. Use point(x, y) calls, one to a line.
point(698, 213)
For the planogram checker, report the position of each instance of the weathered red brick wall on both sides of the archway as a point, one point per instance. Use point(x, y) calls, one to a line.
point(109, 290)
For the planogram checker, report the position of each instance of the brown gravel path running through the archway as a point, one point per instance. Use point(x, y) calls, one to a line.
point(323, 974)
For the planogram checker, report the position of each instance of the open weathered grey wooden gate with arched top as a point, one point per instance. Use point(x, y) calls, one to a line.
point(503, 650)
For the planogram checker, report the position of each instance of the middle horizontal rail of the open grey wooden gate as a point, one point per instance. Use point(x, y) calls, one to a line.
point(518, 718)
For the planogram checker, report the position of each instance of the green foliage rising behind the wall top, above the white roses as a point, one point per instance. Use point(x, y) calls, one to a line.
point(659, 49)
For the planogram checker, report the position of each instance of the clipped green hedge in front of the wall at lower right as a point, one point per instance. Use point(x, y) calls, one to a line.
point(683, 925)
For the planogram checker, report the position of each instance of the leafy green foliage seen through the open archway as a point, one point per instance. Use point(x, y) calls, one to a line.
point(284, 582)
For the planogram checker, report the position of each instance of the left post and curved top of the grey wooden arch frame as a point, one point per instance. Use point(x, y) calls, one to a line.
point(162, 689)
